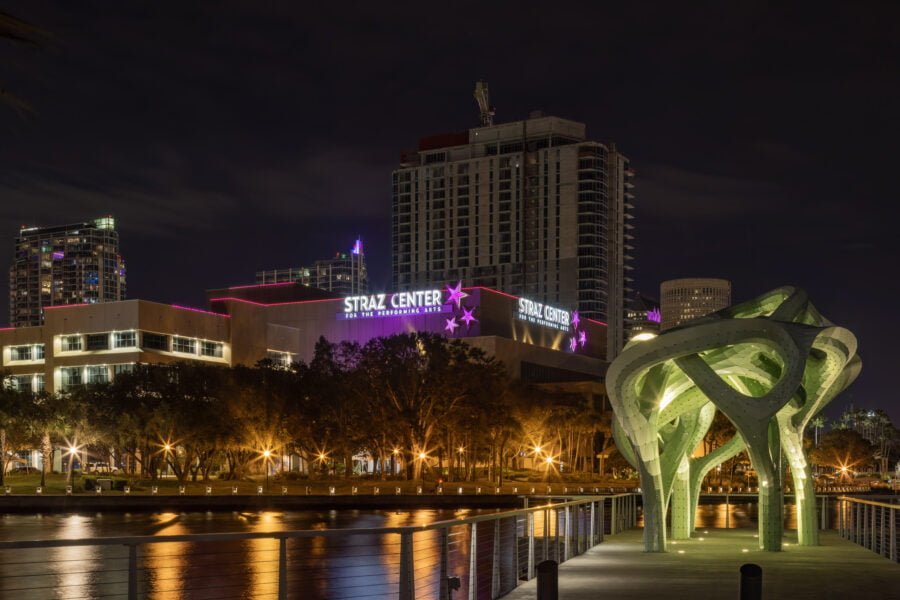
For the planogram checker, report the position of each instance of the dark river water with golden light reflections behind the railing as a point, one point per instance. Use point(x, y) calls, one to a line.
point(344, 567)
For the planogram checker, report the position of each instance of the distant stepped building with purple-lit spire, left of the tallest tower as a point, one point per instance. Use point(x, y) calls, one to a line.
point(344, 273)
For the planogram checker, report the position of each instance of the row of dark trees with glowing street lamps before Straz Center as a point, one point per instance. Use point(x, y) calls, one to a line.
point(405, 402)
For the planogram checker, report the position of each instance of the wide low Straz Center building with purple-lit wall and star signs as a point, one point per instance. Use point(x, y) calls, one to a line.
point(92, 343)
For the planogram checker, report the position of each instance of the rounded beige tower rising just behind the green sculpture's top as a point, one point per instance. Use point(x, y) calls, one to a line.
point(684, 299)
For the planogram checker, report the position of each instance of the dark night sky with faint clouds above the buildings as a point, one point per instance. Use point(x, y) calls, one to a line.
point(228, 137)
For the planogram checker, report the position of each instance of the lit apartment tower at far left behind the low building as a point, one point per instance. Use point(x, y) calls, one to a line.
point(68, 264)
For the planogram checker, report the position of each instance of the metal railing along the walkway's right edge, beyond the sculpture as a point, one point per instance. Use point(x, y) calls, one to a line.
point(870, 523)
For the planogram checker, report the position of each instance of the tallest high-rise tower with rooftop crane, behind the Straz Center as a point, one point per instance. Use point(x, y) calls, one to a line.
point(531, 207)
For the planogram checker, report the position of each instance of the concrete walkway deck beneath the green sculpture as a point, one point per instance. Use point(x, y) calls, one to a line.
point(708, 566)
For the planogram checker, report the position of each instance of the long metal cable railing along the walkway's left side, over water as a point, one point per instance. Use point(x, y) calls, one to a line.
point(485, 556)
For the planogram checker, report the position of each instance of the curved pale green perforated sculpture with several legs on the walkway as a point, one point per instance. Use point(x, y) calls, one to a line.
point(770, 365)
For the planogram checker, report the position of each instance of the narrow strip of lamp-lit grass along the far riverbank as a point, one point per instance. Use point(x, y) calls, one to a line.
point(56, 485)
